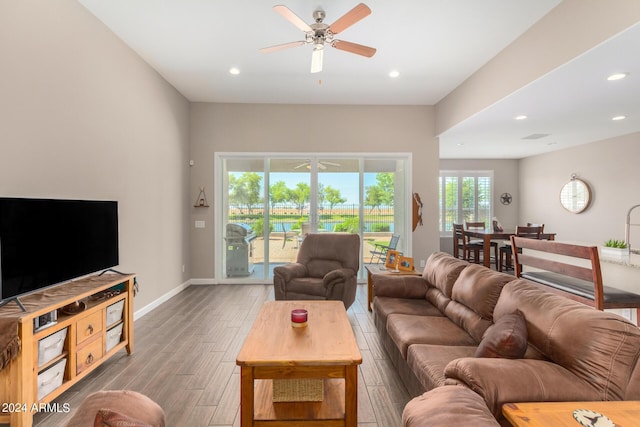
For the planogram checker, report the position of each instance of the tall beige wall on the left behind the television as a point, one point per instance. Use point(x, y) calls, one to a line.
point(82, 116)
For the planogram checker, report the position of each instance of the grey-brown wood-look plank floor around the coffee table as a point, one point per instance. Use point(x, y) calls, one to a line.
point(185, 352)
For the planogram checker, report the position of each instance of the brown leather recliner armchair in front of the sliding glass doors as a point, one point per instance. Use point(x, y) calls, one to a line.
point(326, 269)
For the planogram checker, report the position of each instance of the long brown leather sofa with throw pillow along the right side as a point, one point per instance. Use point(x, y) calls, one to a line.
point(506, 339)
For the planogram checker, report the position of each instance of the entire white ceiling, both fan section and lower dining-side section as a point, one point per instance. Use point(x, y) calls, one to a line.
point(434, 44)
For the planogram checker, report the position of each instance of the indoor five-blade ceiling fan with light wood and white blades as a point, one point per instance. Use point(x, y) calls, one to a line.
point(320, 34)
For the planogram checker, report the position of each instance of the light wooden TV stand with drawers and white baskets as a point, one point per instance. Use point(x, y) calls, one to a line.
point(92, 337)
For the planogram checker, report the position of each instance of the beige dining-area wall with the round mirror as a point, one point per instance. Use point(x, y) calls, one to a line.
point(609, 167)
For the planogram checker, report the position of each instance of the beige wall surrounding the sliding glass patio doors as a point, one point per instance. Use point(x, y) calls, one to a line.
point(311, 128)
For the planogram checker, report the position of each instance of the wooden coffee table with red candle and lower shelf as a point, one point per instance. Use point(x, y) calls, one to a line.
point(325, 349)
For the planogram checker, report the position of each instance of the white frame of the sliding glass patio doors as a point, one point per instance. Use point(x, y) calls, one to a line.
point(221, 201)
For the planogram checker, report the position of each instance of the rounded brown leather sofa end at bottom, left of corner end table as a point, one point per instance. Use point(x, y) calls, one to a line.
point(448, 406)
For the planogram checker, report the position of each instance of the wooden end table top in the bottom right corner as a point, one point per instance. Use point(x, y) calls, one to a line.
point(560, 414)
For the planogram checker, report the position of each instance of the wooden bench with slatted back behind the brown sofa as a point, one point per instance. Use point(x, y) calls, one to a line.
point(580, 283)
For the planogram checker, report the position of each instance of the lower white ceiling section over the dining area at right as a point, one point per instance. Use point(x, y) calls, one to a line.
point(573, 105)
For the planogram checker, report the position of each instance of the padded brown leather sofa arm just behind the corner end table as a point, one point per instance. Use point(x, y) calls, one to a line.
point(501, 381)
